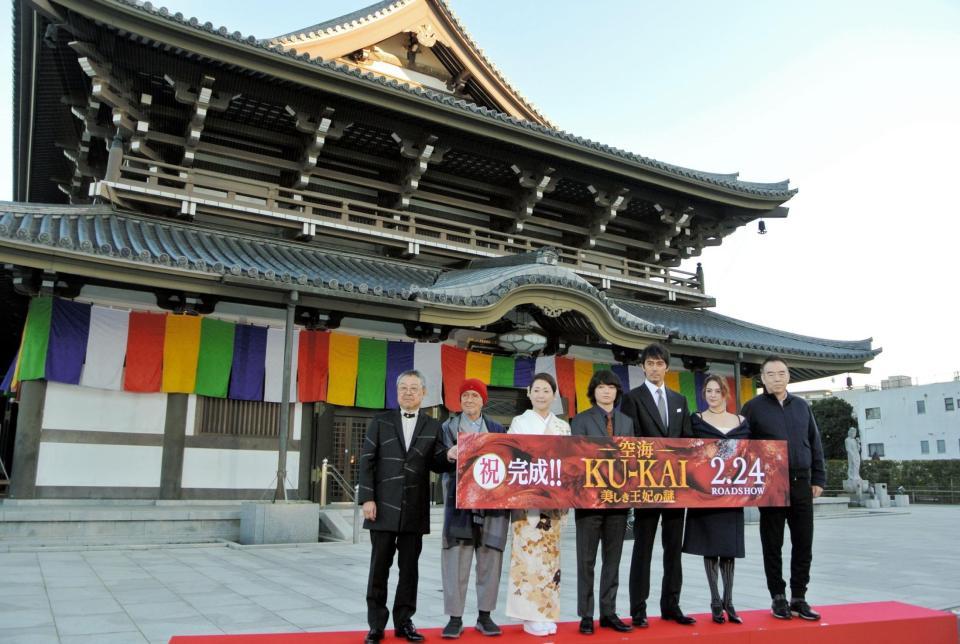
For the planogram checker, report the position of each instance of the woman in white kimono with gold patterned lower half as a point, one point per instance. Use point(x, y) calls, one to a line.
point(534, 588)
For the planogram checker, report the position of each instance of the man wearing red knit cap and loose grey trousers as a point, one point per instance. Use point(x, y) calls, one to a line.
point(469, 534)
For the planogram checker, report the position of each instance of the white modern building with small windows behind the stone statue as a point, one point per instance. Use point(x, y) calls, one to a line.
point(903, 422)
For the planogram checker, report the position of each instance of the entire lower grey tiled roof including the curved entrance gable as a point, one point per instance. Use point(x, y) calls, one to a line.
point(101, 231)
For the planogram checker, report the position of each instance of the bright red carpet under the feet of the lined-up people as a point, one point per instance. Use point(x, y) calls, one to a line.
point(873, 623)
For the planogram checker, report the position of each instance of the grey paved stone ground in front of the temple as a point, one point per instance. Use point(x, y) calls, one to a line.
point(147, 594)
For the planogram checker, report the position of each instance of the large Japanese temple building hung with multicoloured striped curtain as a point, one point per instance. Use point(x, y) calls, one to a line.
point(196, 209)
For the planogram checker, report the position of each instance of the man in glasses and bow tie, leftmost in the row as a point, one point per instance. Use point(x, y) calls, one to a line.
point(400, 448)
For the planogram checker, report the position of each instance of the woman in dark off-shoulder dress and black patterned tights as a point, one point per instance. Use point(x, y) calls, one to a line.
point(717, 533)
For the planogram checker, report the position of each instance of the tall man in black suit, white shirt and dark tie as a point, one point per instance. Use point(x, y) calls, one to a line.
point(657, 412)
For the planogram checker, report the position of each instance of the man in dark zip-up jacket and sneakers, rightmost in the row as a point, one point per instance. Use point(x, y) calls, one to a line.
point(779, 415)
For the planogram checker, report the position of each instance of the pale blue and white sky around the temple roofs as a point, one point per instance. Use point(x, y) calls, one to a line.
point(856, 102)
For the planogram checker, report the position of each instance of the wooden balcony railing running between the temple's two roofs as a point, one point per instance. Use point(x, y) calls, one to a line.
point(239, 192)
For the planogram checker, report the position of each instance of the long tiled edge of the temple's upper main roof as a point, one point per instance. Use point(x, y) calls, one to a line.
point(778, 191)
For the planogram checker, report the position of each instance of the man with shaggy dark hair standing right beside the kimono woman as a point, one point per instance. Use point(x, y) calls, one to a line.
point(600, 526)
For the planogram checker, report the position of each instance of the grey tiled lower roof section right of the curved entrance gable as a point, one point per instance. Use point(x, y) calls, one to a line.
point(706, 327)
